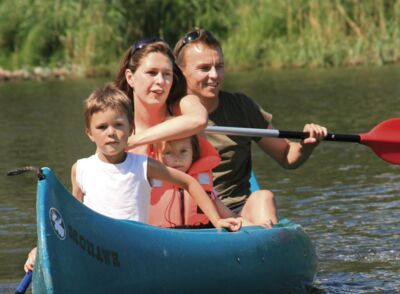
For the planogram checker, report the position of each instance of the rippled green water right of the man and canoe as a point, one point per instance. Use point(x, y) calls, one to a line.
point(346, 198)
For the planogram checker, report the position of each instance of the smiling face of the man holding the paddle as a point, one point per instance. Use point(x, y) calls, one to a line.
point(203, 68)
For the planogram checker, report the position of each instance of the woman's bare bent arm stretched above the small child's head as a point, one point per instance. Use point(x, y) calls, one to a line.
point(190, 117)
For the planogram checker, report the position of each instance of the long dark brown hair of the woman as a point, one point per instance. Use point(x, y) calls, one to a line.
point(133, 58)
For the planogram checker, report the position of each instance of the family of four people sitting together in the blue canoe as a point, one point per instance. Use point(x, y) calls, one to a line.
point(153, 162)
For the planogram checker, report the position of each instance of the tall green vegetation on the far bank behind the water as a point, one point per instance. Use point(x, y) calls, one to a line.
point(89, 36)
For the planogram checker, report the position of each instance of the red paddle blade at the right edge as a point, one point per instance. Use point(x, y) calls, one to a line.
point(384, 140)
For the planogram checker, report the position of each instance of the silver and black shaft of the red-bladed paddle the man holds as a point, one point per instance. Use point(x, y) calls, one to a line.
point(274, 133)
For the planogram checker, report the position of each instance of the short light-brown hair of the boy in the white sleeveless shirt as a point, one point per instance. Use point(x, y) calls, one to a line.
point(106, 97)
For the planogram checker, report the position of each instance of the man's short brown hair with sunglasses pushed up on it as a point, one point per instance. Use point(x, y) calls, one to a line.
point(195, 36)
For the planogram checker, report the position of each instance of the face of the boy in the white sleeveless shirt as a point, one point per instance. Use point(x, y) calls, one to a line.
point(109, 130)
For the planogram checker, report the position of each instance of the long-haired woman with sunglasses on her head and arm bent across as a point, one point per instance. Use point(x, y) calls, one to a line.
point(149, 76)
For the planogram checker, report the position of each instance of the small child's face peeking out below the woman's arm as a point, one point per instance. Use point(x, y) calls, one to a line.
point(177, 154)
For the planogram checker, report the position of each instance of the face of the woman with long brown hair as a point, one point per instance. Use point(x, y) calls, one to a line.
point(152, 80)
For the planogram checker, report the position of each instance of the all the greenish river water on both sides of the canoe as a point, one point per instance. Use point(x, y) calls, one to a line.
point(345, 197)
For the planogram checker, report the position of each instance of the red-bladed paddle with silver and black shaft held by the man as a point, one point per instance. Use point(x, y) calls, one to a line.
point(383, 139)
